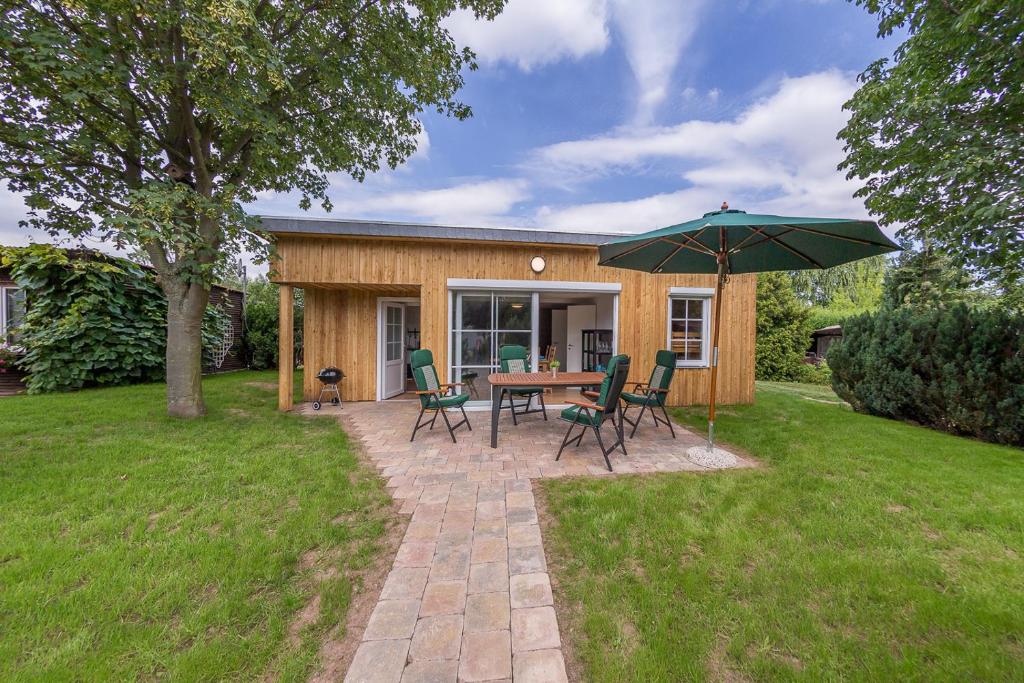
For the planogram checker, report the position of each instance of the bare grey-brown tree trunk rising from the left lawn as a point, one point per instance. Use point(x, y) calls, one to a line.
point(186, 307)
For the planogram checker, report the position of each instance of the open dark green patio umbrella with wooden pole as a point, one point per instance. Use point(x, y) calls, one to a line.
point(730, 242)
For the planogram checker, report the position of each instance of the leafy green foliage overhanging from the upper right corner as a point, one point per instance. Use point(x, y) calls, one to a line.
point(937, 133)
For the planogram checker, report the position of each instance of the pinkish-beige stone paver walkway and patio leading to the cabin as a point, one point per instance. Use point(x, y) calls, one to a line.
point(470, 597)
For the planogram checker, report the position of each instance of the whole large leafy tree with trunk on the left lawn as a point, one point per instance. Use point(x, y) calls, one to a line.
point(151, 124)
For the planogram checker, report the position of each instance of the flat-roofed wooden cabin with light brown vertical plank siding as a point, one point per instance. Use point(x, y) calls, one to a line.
point(374, 291)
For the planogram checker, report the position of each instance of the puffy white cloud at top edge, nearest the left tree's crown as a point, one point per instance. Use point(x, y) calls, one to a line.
point(533, 33)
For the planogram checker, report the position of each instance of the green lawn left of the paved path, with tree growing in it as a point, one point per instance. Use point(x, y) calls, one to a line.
point(134, 546)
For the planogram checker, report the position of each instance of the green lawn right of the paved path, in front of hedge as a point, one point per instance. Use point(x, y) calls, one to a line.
point(864, 549)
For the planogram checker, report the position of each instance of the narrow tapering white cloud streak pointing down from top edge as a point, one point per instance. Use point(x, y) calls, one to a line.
point(655, 34)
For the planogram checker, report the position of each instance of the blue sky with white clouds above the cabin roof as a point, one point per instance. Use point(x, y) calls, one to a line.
point(624, 116)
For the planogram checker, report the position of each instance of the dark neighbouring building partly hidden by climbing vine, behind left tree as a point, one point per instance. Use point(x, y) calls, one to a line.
point(228, 357)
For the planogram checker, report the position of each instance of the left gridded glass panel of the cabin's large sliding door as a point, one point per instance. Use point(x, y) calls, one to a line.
point(482, 324)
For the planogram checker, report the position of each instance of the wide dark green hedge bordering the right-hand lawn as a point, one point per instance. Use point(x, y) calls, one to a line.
point(959, 369)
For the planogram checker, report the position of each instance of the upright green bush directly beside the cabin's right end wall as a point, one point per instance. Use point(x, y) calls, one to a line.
point(783, 329)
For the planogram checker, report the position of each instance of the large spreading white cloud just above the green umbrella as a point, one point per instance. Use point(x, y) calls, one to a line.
point(779, 156)
